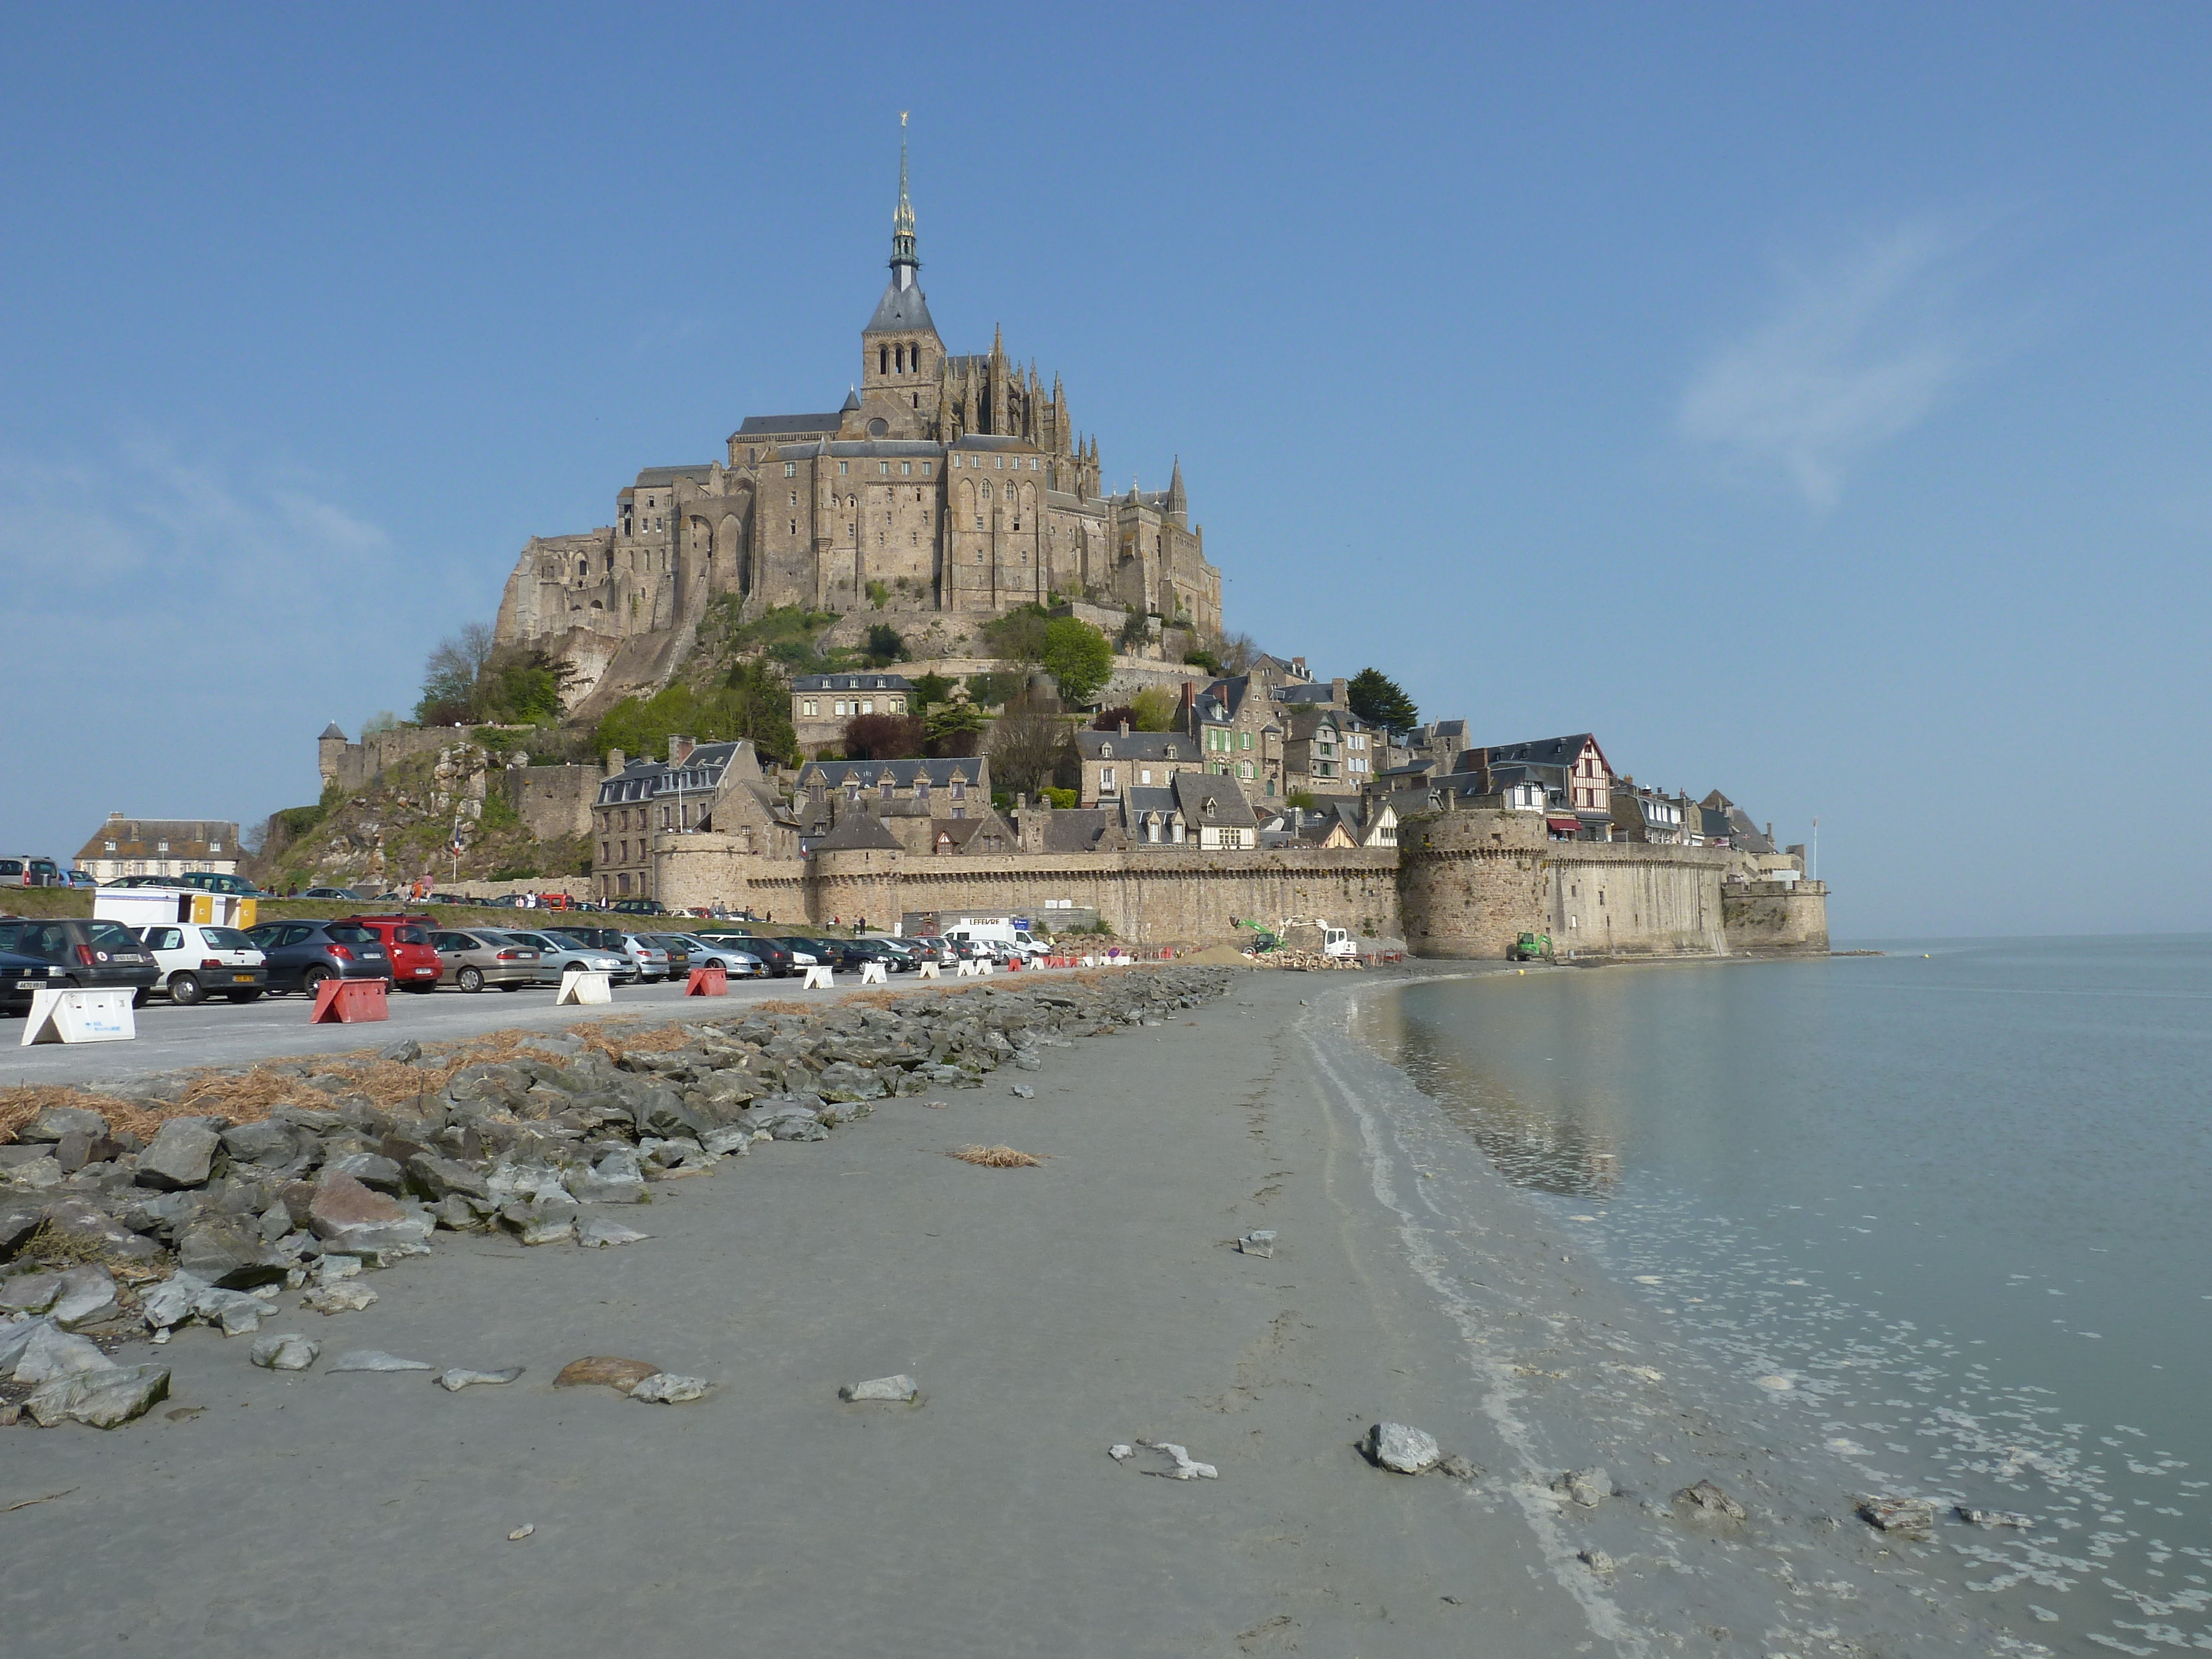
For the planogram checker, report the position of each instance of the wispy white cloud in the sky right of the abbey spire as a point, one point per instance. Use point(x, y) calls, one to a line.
point(1855, 357)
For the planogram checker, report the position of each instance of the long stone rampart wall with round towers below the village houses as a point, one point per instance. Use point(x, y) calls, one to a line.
point(1459, 886)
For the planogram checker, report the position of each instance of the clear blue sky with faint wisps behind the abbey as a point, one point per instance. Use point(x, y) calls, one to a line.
point(1813, 401)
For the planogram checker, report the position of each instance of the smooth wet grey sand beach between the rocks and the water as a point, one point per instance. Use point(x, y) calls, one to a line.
point(1047, 1313)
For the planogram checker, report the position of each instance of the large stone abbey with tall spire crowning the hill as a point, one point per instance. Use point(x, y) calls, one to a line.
point(946, 483)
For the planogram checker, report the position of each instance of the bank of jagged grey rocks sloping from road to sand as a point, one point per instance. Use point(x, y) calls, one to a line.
point(536, 1147)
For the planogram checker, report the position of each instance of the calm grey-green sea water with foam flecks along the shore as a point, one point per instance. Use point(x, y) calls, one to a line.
point(1950, 1207)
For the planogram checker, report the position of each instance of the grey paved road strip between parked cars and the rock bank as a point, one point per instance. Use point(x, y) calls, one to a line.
point(220, 1034)
